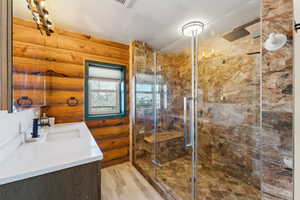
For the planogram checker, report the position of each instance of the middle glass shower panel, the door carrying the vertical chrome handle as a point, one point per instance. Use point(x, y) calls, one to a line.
point(173, 120)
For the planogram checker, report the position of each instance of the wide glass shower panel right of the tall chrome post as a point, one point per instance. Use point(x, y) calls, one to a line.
point(229, 109)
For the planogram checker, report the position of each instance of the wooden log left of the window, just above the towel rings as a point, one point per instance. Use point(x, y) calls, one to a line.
point(28, 81)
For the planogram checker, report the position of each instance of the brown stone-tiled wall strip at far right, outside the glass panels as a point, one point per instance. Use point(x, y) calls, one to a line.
point(277, 103)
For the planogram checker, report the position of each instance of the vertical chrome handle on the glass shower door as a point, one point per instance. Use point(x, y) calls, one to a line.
point(187, 131)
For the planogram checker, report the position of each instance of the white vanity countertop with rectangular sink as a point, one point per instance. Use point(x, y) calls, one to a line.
point(63, 146)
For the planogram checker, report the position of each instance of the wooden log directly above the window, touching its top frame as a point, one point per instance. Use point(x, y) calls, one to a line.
point(22, 49)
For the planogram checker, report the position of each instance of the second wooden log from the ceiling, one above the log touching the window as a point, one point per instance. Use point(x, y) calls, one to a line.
point(33, 36)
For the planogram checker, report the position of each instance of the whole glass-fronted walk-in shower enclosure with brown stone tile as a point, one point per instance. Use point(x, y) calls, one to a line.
point(197, 119)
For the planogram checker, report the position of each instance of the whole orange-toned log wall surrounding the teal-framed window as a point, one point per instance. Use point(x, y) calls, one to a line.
point(51, 69)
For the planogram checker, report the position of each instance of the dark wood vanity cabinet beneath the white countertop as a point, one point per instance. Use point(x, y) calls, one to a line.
point(78, 183)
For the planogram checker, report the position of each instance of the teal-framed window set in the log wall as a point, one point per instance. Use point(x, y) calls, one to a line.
point(104, 90)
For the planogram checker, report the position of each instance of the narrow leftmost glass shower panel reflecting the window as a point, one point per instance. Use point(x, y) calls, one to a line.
point(143, 105)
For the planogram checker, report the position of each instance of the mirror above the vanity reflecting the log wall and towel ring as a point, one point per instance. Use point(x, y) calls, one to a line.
point(29, 69)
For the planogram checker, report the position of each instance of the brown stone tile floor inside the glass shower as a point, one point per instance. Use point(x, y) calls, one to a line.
point(175, 178)
